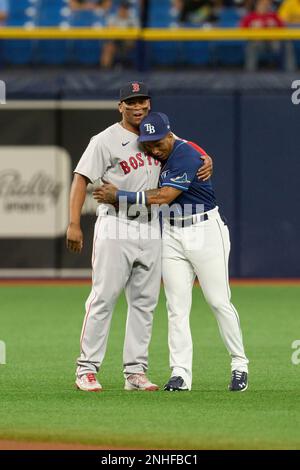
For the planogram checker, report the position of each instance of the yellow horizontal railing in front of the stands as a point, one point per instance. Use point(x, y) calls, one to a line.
point(149, 36)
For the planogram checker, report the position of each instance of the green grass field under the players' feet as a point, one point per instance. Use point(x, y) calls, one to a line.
point(41, 326)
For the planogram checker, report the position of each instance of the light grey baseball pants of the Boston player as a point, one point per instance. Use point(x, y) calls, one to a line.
point(124, 257)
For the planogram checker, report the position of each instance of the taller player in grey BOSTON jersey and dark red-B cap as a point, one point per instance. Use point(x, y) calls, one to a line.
point(133, 264)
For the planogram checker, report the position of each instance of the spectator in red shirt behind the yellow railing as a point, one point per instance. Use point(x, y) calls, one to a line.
point(264, 17)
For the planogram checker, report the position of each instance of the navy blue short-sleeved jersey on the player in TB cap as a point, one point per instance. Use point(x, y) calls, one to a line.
point(180, 171)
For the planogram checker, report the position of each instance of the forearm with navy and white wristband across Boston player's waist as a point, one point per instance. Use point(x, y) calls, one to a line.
point(110, 194)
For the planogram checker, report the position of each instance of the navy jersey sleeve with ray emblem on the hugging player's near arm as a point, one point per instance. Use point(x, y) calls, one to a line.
point(183, 168)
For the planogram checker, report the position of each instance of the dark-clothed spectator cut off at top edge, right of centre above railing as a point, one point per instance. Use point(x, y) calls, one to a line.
point(196, 12)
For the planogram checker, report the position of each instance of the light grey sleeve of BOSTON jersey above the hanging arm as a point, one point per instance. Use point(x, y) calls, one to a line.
point(94, 161)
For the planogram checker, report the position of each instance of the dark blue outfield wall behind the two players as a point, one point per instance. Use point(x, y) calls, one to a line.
point(252, 133)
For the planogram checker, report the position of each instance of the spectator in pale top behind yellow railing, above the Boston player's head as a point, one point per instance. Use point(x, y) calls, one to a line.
point(113, 51)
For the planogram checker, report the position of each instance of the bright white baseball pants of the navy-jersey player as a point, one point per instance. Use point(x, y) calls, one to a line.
point(200, 250)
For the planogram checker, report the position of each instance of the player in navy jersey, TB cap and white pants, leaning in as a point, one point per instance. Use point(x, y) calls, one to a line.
point(195, 243)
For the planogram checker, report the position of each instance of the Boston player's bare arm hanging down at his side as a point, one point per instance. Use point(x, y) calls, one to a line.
point(77, 198)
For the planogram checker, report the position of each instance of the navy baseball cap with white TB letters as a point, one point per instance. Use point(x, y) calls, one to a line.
point(154, 127)
